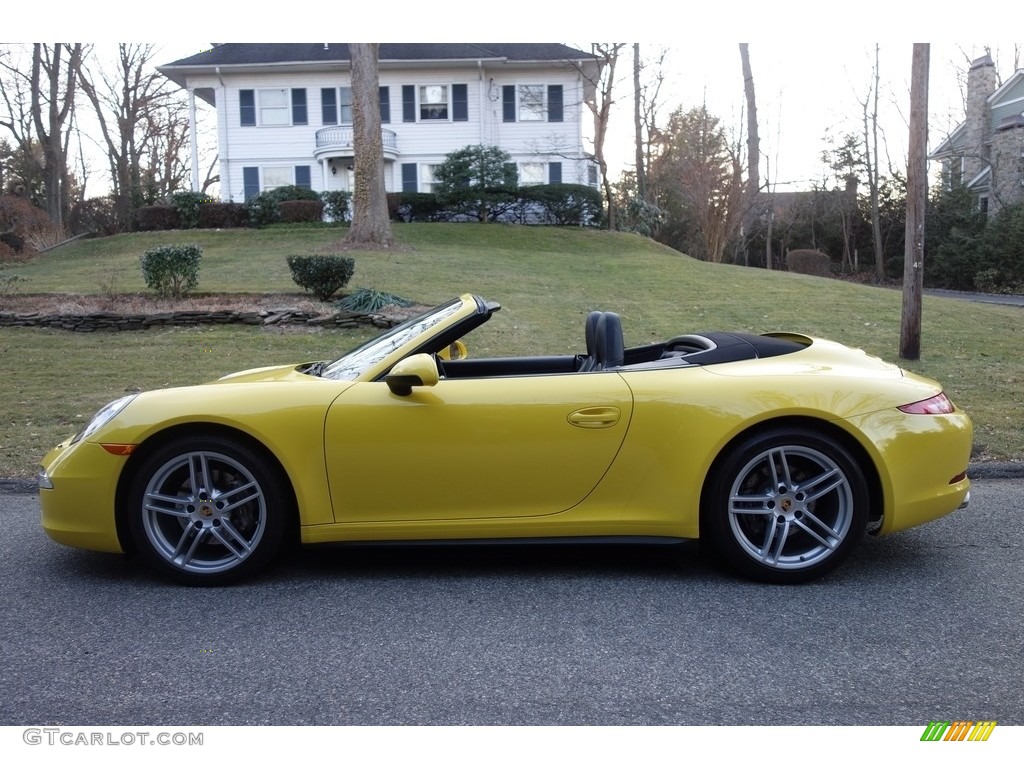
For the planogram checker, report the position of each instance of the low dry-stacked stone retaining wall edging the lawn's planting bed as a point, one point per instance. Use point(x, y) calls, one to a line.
point(118, 322)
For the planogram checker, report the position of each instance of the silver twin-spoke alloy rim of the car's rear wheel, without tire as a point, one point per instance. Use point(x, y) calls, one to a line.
point(791, 507)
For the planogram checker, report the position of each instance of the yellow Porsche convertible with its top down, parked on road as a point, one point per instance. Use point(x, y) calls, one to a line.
point(780, 451)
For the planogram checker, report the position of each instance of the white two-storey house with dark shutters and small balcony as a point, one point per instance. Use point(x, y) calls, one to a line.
point(285, 111)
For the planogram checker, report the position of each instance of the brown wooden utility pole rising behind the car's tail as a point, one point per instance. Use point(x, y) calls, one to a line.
point(917, 198)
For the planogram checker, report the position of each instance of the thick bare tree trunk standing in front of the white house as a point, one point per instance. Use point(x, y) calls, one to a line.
point(371, 225)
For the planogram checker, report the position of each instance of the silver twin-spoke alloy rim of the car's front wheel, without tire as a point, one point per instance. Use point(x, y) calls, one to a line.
point(204, 513)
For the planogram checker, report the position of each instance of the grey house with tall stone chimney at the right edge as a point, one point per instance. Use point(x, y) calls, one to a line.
point(987, 151)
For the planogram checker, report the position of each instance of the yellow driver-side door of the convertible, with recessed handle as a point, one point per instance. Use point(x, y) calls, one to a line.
point(504, 447)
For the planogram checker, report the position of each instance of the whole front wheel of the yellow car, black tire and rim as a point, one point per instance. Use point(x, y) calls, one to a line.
point(208, 510)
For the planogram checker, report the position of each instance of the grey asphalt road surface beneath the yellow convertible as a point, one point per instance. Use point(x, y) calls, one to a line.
point(923, 626)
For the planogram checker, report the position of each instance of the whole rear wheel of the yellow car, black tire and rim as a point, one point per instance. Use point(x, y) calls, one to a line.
point(786, 506)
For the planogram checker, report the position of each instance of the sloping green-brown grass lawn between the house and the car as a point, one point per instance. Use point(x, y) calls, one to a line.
point(546, 279)
